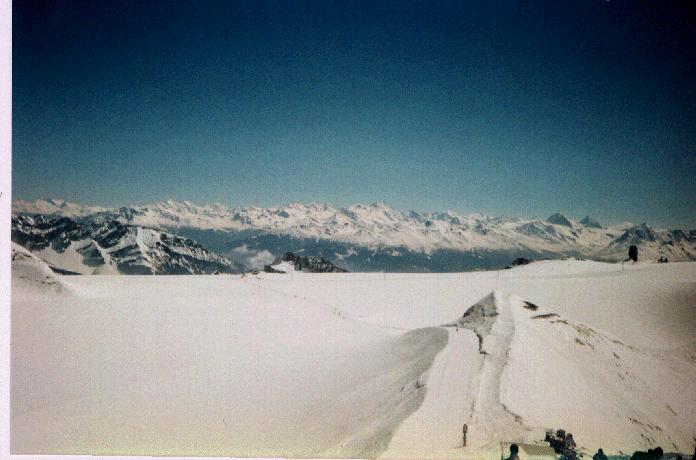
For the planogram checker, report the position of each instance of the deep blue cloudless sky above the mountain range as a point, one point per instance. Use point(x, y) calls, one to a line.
point(501, 107)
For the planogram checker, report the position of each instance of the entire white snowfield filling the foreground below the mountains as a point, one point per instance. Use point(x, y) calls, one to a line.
point(357, 365)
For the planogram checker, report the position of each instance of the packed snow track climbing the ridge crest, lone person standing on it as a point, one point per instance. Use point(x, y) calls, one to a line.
point(435, 430)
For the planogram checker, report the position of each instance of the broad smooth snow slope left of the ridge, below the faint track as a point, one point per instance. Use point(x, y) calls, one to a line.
point(207, 365)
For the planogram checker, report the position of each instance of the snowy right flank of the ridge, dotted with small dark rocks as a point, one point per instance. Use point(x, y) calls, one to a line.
point(641, 392)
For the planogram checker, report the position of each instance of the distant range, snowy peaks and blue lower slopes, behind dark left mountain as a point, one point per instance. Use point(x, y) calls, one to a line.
point(377, 237)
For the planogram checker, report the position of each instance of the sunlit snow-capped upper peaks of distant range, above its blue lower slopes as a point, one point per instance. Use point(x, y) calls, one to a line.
point(376, 226)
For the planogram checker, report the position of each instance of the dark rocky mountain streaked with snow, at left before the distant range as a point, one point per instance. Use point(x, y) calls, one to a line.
point(113, 247)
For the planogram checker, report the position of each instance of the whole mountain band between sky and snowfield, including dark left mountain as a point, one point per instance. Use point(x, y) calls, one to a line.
point(184, 238)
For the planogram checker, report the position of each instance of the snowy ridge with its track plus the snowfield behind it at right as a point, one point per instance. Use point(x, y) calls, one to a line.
point(534, 373)
